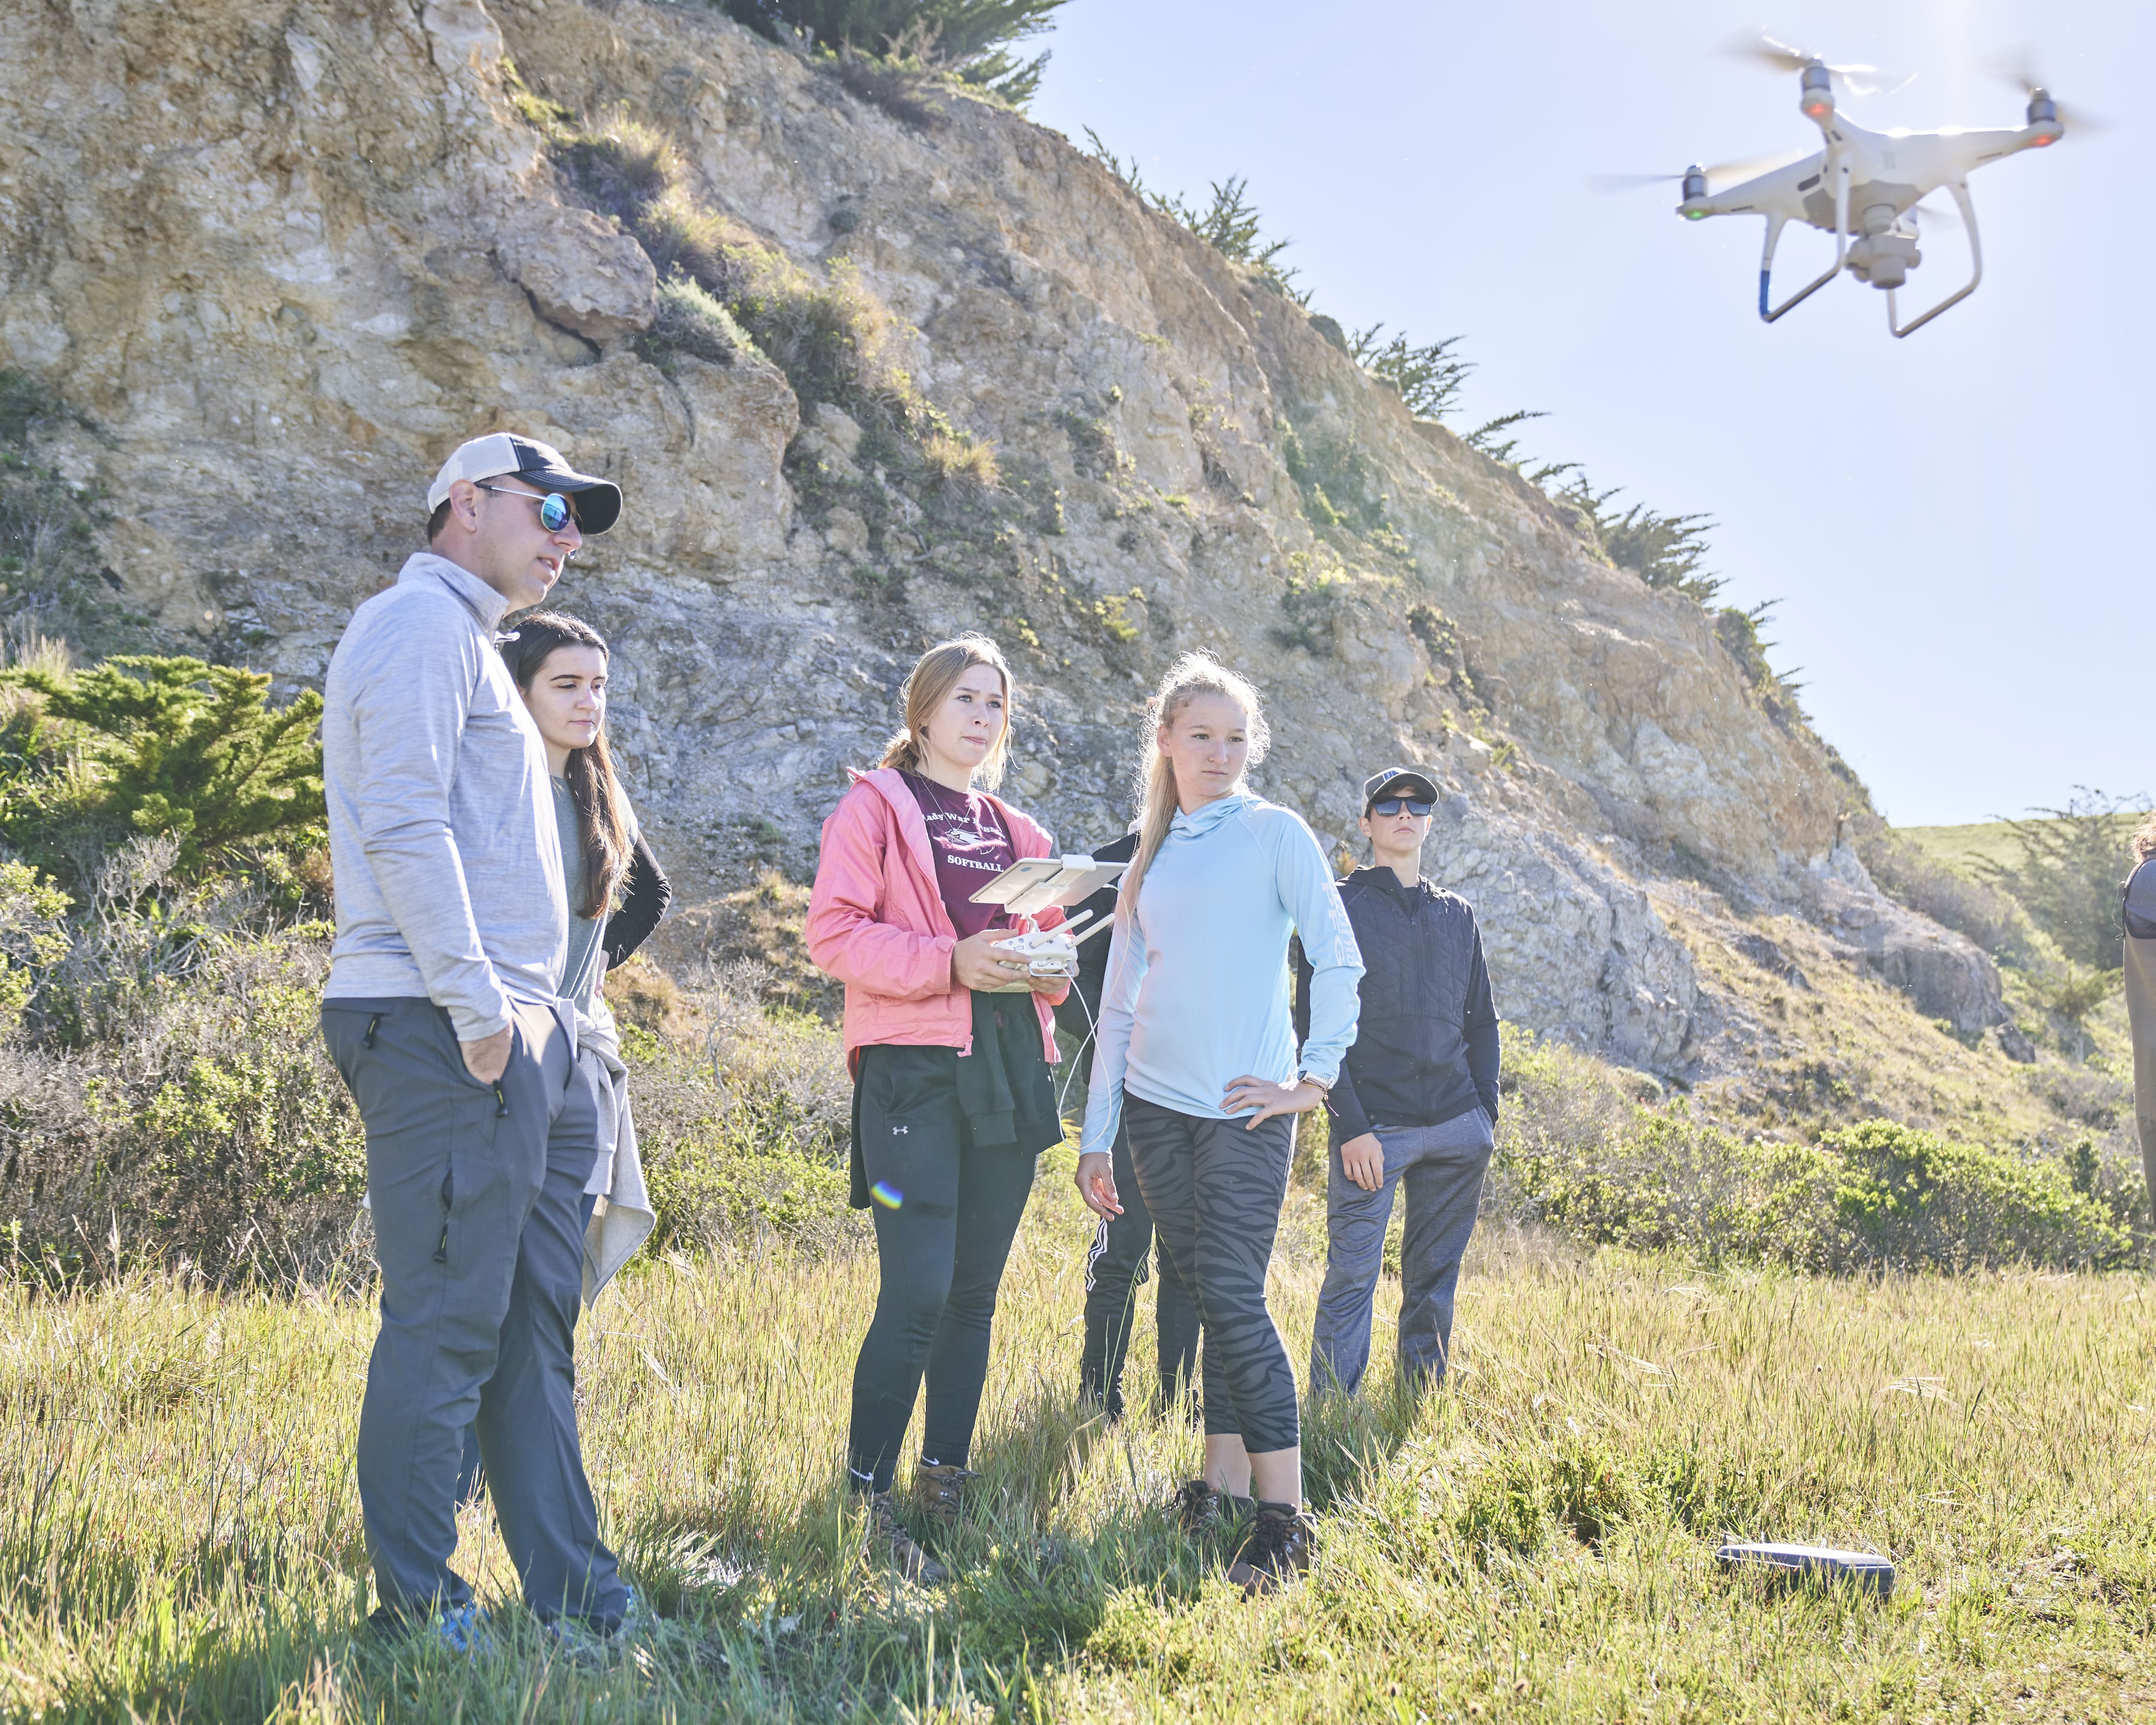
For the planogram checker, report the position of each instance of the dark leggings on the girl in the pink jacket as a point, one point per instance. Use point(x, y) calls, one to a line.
point(945, 1217)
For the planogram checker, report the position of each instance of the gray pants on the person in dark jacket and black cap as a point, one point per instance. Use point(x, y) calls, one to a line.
point(1441, 1168)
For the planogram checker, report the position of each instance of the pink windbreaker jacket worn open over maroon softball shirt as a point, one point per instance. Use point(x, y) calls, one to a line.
point(879, 924)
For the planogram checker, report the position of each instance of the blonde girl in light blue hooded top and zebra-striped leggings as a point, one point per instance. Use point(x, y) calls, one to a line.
point(1198, 1049)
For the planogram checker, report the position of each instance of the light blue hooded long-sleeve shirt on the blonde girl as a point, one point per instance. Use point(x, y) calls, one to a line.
point(1198, 974)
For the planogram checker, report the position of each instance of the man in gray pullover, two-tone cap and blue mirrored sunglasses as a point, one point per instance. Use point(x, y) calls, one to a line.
point(441, 1012)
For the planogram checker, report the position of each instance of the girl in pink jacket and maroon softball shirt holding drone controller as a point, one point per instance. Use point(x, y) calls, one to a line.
point(950, 1045)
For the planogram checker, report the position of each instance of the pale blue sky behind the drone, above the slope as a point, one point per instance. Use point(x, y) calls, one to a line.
point(1957, 525)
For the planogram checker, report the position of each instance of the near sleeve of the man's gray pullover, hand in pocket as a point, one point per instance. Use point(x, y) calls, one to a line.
point(411, 700)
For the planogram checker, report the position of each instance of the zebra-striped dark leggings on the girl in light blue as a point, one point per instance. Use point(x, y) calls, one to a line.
point(1215, 1189)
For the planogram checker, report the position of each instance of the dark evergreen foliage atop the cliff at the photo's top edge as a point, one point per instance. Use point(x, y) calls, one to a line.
point(971, 40)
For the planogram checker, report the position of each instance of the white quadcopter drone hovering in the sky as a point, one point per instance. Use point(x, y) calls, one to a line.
point(1864, 189)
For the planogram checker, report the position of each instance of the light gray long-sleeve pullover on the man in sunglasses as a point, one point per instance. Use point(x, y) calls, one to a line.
point(443, 844)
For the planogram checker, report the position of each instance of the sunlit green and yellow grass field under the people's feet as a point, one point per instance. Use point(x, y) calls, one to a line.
point(182, 1534)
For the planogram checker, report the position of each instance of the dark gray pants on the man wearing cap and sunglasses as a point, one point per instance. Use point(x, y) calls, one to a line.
point(478, 1196)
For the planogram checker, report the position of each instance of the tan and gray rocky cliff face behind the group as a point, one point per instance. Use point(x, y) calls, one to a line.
point(279, 258)
